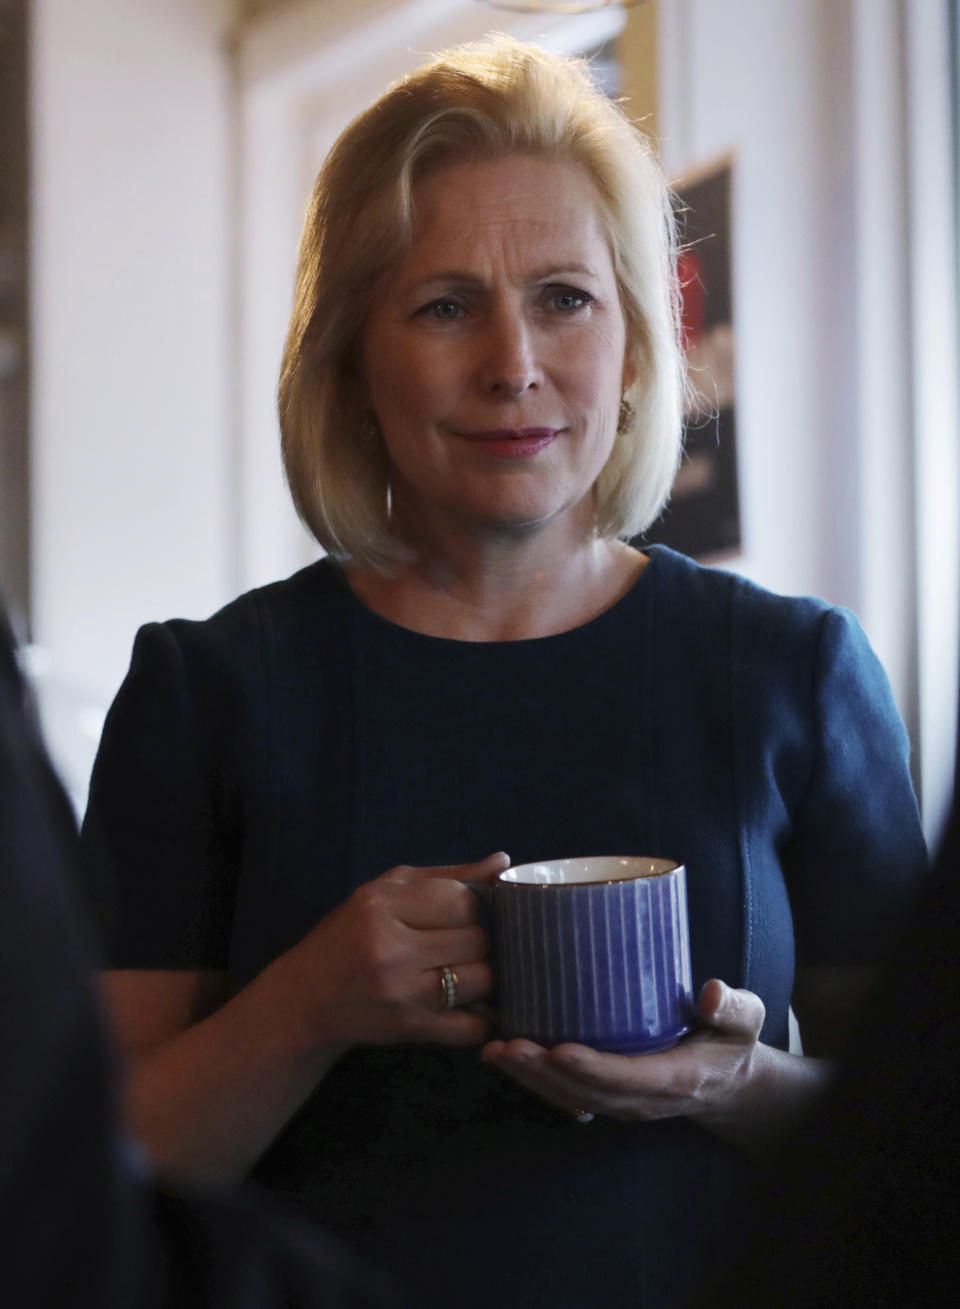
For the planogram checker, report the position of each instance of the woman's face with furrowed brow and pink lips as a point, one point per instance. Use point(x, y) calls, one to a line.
point(494, 353)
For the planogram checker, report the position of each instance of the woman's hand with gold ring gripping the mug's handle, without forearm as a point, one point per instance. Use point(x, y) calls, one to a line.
point(370, 972)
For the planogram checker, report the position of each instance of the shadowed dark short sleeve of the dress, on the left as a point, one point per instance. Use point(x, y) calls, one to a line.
point(153, 842)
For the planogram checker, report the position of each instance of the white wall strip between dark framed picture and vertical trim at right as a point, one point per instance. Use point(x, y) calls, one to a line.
point(743, 77)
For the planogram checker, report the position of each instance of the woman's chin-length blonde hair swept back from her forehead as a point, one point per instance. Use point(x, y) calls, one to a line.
point(487, 100)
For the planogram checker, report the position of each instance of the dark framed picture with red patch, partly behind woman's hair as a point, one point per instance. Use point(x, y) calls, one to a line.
point(704, 515)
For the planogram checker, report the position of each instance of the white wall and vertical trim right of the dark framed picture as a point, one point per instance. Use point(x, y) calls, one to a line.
point(845, 307)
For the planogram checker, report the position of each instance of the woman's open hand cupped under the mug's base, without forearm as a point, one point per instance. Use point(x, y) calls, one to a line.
point(705, 1077)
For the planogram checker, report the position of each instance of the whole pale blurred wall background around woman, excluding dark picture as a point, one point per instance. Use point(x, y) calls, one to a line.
point(157, 158)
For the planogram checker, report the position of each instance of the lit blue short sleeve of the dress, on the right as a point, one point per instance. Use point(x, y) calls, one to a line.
point(858, 855)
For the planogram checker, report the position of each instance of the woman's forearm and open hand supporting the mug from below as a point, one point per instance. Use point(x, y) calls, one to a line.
point(721, 1077)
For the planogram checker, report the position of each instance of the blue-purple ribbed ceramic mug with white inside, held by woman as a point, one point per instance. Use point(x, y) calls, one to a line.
point(595, 951)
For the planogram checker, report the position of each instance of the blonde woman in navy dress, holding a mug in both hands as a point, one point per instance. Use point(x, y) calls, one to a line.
point(480, 400)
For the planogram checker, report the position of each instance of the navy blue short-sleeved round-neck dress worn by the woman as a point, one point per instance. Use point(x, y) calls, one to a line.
point(257, 768)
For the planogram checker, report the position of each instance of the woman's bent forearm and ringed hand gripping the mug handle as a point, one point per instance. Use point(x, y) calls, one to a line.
point(212, 1082)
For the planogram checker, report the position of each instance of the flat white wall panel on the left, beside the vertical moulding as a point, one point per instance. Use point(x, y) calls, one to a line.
point(132, 472)
